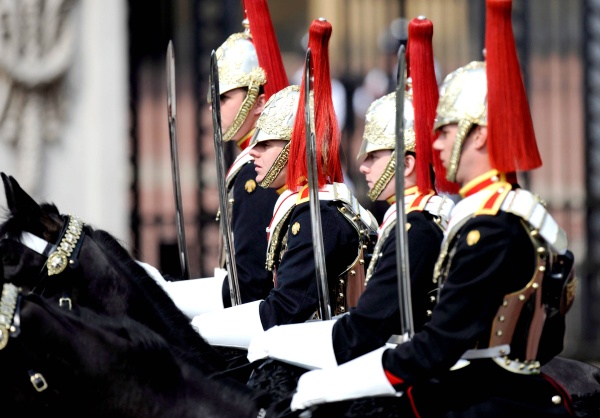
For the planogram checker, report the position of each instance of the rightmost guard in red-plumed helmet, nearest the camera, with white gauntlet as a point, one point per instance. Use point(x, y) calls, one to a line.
point(502, 269)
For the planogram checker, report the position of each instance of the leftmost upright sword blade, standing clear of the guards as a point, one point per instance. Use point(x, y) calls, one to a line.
point(172, 117)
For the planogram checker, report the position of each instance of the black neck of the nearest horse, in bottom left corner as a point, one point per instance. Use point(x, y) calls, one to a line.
point(80, 363)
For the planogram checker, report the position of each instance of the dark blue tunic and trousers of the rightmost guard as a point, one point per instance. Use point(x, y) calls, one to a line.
point(480, 275)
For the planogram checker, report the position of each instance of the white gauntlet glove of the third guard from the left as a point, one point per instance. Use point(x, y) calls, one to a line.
point(307, 345)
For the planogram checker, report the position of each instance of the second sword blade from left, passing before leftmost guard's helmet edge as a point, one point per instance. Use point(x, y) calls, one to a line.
point(224, 220)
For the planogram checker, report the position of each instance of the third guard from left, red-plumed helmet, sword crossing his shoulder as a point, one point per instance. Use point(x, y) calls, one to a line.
point(376, 317)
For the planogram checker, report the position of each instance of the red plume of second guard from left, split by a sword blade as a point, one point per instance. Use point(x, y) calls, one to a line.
point(327, 132)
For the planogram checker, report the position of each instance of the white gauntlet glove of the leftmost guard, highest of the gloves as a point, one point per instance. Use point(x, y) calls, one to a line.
point(198, 296)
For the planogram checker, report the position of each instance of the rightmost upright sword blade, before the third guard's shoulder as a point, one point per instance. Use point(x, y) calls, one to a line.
point(404, 295)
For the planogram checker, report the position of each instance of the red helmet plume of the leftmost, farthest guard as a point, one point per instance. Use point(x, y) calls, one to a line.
point(267, 48)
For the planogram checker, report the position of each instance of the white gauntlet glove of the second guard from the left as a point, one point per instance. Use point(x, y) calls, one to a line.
point(230, 327)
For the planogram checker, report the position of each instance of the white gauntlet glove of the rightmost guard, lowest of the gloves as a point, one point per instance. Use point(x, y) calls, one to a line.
point(359, 378)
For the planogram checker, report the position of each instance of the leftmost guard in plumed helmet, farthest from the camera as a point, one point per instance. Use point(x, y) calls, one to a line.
point(250, 70)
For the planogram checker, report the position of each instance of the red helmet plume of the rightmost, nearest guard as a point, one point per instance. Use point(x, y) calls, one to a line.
point(511, 138)
